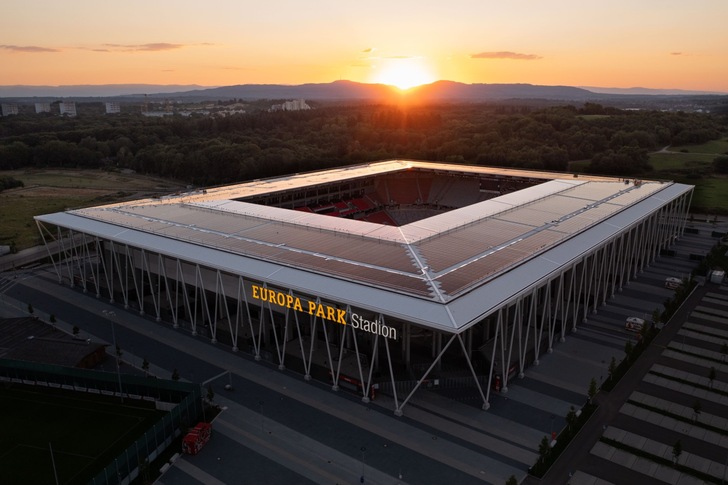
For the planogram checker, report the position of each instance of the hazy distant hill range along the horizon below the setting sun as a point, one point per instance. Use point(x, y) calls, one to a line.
point(440, 91)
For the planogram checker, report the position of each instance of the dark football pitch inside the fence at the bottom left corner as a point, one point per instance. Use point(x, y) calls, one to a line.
point(55, 435)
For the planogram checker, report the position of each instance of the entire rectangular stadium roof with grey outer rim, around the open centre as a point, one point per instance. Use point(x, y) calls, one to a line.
point(438, 271)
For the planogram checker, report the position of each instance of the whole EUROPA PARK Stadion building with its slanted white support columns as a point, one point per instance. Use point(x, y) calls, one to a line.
point(386, 277)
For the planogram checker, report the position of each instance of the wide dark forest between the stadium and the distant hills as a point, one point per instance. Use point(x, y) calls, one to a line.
point(206, 150)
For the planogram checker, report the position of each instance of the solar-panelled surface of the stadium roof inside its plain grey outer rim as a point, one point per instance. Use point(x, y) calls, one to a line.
point(457, 250)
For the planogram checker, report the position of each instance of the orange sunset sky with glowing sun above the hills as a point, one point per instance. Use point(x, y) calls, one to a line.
point(668, 44)
